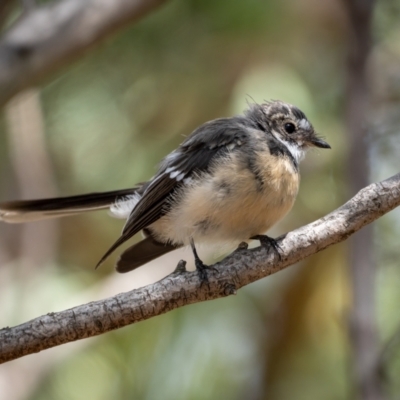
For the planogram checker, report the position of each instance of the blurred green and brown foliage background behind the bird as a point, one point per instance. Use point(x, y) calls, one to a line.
point(105, 121)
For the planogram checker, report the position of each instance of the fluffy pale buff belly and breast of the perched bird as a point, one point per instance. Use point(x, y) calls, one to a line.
point(230, 205)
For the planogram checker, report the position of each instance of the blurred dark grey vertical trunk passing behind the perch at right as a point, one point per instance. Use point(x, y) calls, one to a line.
point(363, 328)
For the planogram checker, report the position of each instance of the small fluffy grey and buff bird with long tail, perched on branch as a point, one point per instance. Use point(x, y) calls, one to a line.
point(231, 180)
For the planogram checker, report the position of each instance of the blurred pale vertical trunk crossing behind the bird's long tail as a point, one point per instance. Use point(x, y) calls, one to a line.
point(33, 173)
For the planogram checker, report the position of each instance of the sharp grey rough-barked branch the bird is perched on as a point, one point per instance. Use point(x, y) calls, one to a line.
point(240, 268)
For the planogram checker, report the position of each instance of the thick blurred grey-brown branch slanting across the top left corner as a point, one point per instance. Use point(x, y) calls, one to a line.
point(47, 38)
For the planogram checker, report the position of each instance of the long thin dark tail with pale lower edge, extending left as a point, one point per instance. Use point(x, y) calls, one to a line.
point(34, 210)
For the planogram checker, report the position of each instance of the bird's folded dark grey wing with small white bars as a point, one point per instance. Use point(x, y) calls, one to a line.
point(195, 155)
